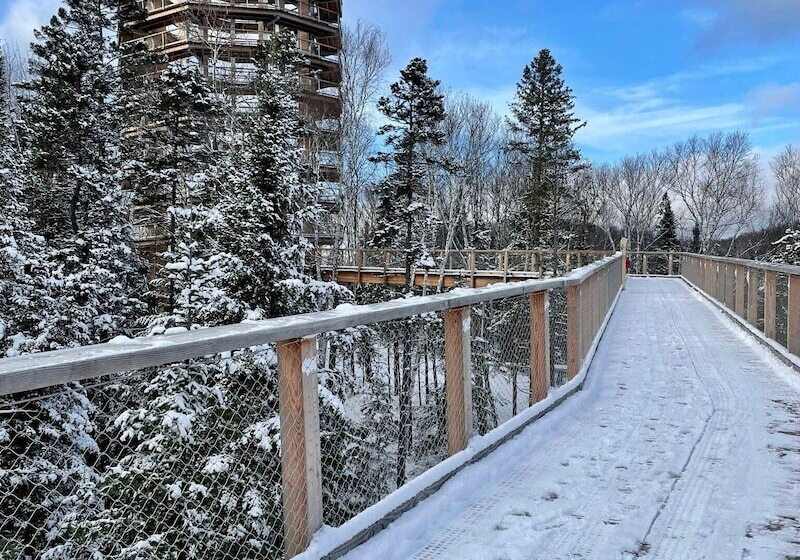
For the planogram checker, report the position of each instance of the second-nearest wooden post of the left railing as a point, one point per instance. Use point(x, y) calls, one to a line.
point(458, 378)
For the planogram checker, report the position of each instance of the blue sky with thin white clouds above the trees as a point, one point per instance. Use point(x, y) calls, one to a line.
point(645, 72)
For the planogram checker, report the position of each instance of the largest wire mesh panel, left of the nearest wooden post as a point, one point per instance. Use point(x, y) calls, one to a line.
point(182, 461)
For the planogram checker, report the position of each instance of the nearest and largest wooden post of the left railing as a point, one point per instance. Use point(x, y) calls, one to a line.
point(300, 444)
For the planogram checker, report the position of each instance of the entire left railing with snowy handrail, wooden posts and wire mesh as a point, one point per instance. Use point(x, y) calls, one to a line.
point(242, 441)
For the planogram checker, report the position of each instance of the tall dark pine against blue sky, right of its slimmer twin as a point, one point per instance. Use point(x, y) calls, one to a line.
point(544, 125)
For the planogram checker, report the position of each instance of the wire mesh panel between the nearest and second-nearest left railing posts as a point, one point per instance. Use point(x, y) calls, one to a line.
point(385, 387)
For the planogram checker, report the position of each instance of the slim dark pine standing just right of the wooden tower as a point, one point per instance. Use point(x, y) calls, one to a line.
point(416, 111)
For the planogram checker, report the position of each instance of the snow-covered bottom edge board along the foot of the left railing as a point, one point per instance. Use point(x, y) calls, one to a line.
point(331, 543)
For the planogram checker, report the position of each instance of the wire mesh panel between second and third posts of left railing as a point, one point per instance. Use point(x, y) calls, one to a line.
point(501, 361)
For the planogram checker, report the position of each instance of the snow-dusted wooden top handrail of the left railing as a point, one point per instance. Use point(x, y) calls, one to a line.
point(36, 371)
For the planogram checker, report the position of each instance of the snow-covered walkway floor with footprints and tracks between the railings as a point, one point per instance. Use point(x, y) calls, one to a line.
point(684, 444)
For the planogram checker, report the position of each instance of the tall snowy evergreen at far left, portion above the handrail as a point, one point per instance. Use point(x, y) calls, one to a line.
point(72, 135)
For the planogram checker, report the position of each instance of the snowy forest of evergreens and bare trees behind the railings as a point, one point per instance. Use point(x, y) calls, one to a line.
point(183, 461)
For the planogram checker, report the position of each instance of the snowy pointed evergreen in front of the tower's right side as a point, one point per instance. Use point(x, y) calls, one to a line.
point(268, 199)
